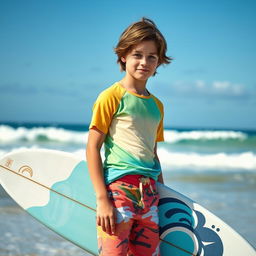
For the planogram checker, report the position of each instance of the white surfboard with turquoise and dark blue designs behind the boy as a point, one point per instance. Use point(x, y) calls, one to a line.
point(55, 188)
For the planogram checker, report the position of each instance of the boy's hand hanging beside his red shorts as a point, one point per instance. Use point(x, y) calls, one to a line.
point(106, 217)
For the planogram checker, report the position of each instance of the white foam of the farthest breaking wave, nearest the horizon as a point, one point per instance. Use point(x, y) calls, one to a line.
point(9, 134)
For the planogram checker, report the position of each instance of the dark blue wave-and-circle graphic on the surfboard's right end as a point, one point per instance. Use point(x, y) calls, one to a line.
point(181, 225)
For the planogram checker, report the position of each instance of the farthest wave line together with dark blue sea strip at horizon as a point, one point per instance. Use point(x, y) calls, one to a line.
point(39, 133)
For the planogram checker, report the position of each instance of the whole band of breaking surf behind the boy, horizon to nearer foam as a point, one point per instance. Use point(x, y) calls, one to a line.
point(186, 149)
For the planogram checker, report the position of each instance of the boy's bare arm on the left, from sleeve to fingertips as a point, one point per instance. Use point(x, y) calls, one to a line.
point(105, 209)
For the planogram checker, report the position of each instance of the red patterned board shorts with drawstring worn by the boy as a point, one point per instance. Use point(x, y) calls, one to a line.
point(136, 220)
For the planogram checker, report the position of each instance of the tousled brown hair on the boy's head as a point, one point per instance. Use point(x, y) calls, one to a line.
point(143, 30)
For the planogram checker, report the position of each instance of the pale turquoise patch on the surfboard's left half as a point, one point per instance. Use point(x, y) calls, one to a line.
point(69, 223)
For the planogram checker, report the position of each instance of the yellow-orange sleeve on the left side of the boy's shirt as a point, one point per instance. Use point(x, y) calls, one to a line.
point(104, 109)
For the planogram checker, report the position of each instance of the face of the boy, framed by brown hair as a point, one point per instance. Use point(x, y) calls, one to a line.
point(141, 62)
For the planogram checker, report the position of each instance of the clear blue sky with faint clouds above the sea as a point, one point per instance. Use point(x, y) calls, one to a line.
point(56, 56)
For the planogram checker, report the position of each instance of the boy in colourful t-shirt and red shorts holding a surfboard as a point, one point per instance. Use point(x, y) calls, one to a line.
point(128, 119)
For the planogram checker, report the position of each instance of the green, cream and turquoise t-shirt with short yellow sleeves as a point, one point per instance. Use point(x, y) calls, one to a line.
point(132, 124)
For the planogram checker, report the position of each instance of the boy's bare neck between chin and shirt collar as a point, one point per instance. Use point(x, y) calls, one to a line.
point(138, 87)
